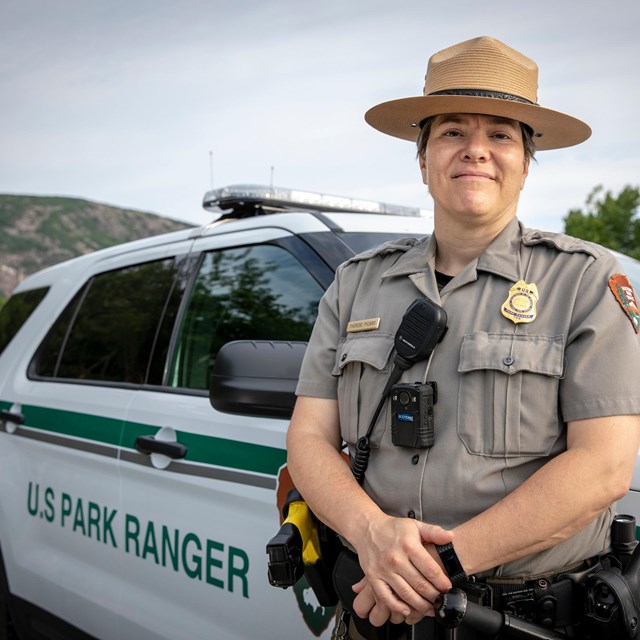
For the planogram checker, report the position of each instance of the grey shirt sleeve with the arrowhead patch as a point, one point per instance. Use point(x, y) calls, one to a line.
point(602, 351)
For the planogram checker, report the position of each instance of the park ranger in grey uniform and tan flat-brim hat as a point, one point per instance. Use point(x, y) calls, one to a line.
point(535, 400)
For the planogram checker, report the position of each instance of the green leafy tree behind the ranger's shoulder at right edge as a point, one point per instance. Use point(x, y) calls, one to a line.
point(608, 220)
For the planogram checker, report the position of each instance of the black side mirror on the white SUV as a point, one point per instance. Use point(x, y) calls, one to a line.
point(256, 377)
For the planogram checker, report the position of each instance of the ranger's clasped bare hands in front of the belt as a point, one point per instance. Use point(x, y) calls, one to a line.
point(402, 574)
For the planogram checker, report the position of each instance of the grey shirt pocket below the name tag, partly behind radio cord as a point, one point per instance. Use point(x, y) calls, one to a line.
point(363, 366)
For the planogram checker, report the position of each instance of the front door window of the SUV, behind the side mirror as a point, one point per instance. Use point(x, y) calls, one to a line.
point(247, 293)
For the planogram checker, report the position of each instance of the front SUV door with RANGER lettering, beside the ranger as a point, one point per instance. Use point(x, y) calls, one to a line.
point(200, 505)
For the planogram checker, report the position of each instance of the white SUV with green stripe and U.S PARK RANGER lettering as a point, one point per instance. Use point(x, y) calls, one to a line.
point(130, 507)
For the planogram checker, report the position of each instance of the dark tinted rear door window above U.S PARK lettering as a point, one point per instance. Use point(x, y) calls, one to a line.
point(113, 326)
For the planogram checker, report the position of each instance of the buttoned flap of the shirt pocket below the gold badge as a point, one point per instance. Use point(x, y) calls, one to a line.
point(512, 353)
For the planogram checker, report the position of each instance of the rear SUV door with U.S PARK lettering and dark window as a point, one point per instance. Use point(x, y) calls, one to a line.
point(73, 383)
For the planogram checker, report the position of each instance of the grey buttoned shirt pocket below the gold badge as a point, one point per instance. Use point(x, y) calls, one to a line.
point(508, 397)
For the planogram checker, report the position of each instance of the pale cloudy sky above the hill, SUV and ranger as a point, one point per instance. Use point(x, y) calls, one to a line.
point(148, 104)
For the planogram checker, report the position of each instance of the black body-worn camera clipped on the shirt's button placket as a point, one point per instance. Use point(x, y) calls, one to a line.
point(412, 421)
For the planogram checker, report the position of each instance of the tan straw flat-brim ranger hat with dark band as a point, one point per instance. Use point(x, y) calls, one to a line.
point(483, 76)
